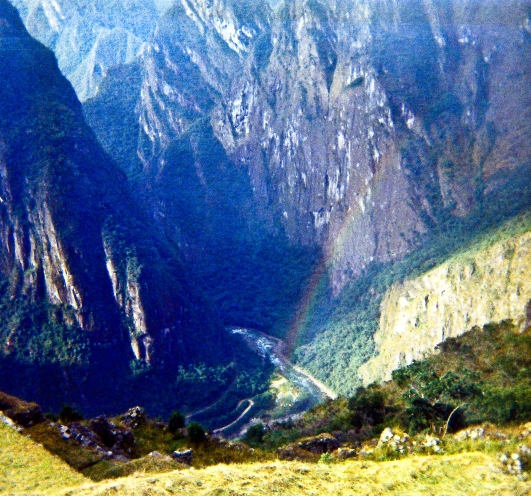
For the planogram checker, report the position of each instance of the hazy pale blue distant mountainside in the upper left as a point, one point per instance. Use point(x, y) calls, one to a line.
point(88, 38)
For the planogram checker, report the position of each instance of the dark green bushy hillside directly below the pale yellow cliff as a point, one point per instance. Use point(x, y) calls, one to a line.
point(482, 376)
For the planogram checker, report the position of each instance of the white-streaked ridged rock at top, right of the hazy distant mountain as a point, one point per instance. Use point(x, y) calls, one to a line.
point(197, 48)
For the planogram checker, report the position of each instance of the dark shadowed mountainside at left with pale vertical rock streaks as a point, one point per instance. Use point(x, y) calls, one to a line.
point(87, 284)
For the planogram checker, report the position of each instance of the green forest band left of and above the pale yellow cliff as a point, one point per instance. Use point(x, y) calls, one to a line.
point(336, 336)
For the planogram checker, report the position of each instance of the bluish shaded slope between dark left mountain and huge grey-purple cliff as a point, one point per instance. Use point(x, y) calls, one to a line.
point(240, 258)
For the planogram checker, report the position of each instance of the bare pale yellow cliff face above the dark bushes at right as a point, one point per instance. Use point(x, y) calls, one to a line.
point(472, 289)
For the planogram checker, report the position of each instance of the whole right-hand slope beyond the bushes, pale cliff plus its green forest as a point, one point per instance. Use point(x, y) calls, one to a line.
point(400, 312)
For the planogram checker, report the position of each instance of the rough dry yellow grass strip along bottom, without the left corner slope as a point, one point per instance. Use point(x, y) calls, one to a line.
point(465, 474)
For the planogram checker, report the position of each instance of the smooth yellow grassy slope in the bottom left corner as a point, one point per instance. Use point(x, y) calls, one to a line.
point(27, 468)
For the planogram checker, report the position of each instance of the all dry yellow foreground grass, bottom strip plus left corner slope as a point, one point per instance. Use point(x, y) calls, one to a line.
point(26, 468)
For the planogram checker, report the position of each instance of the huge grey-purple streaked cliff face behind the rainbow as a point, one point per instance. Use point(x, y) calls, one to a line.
point(362, 124)
